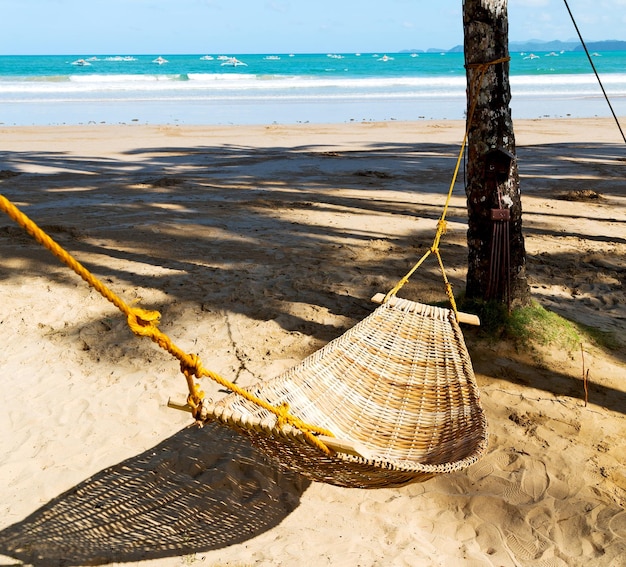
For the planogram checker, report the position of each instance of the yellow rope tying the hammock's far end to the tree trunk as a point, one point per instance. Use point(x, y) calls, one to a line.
point(441, 224)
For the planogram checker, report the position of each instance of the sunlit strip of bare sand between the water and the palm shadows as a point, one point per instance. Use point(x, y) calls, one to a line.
point(343, 136)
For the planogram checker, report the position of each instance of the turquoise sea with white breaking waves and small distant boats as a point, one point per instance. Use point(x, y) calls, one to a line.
point(255, 89)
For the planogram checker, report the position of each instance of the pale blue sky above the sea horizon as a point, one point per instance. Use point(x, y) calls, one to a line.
point(280, 26)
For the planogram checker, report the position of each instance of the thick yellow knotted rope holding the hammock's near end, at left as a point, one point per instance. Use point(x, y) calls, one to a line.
point(145, 323)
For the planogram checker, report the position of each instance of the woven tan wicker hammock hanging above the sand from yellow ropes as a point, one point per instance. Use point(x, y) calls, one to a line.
point(398, 388)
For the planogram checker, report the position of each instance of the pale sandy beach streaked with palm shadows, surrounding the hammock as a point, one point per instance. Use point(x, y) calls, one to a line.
point(259, 245)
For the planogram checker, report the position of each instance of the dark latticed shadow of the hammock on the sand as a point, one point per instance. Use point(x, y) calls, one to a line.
point(201, 489)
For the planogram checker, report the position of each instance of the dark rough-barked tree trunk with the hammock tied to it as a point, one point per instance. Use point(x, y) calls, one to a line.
point(492, 188)
